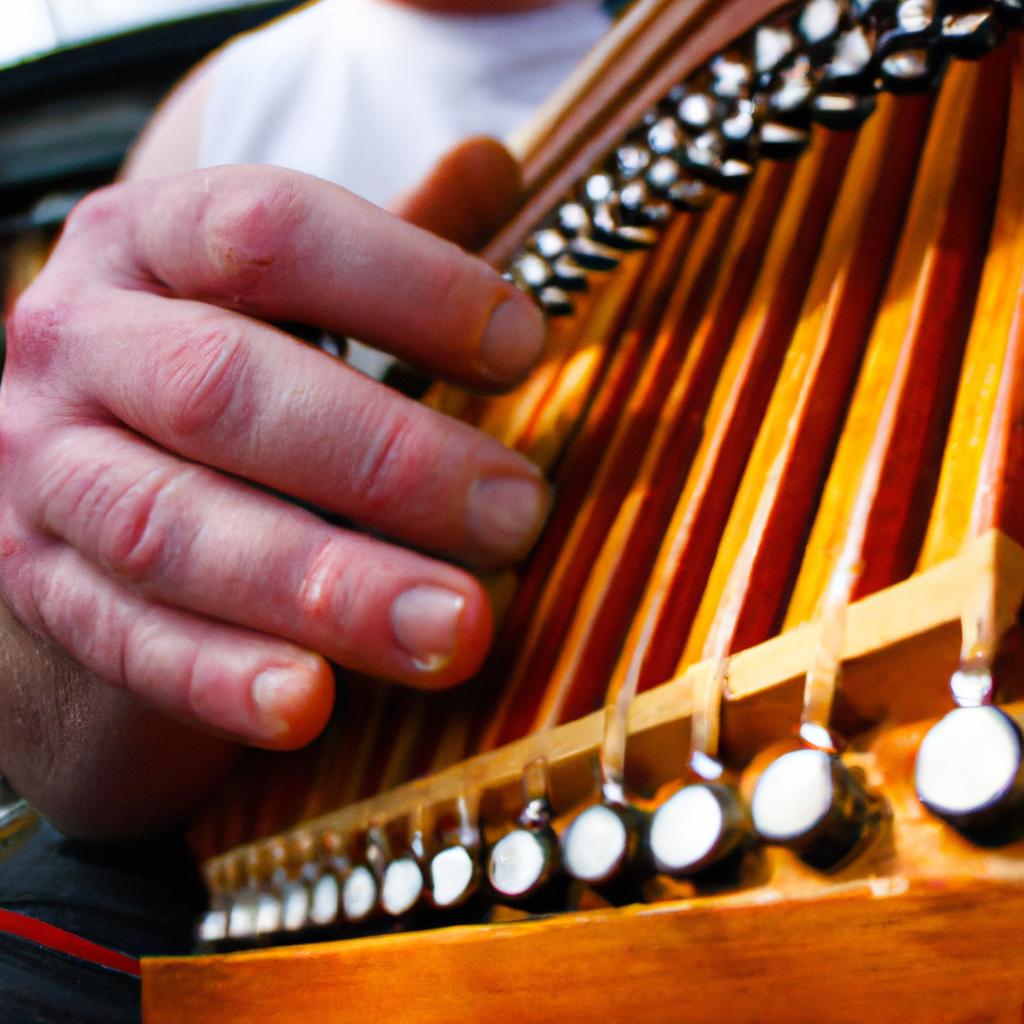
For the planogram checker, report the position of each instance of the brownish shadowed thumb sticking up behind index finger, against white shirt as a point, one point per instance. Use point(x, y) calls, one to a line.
point(467, 195)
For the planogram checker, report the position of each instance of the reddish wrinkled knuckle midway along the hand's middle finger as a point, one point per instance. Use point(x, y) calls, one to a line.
point(202, 380)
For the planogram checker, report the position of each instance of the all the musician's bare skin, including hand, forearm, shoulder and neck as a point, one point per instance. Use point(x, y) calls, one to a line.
point(162, 604)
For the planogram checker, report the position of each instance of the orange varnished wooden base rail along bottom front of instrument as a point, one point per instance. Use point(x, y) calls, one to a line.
point(920, 926)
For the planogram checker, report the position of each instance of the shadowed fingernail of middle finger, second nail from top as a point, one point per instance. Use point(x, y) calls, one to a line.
point(506, 515)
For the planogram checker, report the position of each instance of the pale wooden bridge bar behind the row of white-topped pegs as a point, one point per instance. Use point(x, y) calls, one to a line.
point(912, 630)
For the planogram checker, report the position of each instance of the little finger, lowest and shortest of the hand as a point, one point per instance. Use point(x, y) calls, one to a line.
point(241, 685)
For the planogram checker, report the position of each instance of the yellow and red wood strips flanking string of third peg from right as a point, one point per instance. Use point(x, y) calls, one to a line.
point(798, 436)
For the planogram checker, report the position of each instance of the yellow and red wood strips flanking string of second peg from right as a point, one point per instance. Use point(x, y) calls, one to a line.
point(915, 347)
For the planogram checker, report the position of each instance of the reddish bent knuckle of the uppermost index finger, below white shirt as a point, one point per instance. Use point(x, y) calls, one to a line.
point(244, 229)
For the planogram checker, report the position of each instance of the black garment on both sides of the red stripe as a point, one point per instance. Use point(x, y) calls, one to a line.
point(142, 900)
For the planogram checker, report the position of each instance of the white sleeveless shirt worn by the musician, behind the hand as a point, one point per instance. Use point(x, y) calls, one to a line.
point(370, 94)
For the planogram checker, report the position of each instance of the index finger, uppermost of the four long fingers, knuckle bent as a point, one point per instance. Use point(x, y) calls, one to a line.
point(284, 246)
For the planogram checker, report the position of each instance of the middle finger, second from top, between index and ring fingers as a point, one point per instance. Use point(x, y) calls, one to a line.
point(220, 389)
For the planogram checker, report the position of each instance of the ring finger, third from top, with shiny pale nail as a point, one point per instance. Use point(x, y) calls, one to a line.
point(184, 536)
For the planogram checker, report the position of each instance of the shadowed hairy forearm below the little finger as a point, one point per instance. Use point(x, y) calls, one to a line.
point(93, 758)
